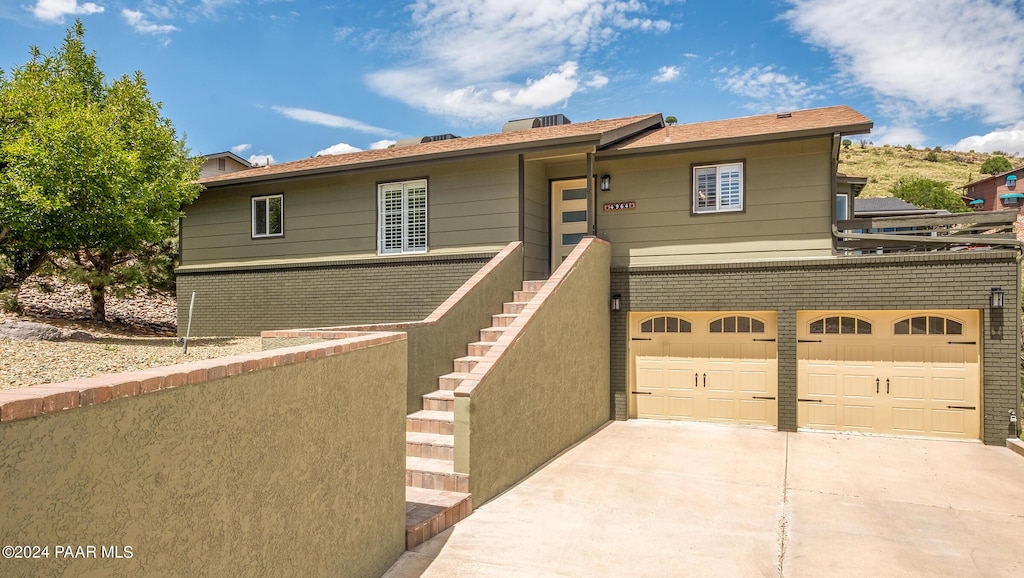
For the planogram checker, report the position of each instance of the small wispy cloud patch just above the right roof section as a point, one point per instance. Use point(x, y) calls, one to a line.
point(767, 90)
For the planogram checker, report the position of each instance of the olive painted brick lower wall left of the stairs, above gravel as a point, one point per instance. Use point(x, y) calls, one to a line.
point(247, 302)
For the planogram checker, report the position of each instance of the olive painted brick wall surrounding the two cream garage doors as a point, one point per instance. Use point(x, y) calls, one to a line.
point(942, 281)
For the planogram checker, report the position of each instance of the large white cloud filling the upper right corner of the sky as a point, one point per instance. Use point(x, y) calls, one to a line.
point(951, 57)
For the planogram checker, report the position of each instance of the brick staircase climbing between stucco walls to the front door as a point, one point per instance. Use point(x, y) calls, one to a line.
point(437, 497)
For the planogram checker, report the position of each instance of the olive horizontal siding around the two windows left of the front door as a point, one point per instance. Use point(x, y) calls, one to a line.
point(473, 205)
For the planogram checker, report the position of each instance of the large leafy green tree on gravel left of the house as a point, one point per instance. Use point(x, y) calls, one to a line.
point(91, 173)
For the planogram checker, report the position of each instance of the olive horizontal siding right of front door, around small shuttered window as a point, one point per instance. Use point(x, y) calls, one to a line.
point(787, 198)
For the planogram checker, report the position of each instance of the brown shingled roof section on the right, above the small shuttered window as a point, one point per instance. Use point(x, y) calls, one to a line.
point(798, 123)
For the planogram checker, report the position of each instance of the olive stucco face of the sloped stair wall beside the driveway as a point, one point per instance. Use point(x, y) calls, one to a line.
point(550, 388)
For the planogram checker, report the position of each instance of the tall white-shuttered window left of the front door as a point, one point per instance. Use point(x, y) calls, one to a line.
point(402, 216)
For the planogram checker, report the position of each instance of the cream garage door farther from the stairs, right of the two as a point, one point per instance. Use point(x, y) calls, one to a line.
point(915, 374)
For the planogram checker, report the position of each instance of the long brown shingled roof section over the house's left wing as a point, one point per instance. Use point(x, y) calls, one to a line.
point(600, 132)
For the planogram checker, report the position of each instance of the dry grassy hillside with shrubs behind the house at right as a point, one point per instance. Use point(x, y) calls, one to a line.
point(885, 166)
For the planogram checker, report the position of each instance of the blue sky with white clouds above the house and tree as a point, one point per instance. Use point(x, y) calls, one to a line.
point(289, 79)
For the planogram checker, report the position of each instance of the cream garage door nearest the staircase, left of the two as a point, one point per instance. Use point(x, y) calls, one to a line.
point(705, 366)
